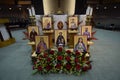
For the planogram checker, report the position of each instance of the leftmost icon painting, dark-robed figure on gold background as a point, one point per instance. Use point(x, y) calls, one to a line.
point(33, 31)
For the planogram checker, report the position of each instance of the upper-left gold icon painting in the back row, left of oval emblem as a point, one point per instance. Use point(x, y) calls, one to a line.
point(47, 23)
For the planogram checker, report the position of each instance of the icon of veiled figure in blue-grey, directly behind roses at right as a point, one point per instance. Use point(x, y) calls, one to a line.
point(80, 43)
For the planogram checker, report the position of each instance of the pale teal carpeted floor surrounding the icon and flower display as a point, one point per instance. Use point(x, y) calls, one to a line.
point(15, 60)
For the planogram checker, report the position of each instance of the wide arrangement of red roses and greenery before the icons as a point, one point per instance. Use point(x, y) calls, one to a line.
point(61, 61)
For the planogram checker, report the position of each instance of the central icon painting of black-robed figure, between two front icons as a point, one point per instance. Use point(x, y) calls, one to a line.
point(60, 38)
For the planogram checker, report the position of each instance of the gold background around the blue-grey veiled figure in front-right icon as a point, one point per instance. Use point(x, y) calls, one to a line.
point(76, 41)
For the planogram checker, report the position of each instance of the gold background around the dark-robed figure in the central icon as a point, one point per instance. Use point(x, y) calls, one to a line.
point(64, 34)
